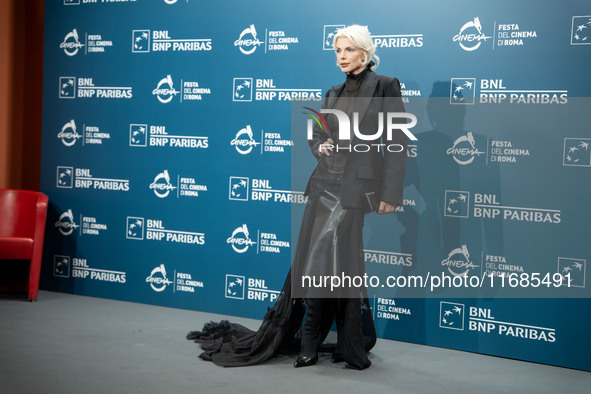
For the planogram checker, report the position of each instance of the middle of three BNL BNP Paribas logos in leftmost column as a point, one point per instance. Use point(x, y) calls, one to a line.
point(81, 178)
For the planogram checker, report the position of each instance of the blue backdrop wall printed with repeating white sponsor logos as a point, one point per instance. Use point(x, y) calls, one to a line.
point(175, 159)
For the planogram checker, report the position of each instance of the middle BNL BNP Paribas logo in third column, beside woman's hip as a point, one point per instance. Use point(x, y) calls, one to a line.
point(240, 188)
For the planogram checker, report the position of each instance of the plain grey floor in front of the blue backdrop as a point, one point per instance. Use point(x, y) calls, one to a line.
point(74, 344)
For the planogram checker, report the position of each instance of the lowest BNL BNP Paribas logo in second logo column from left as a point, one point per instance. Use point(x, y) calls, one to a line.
point(155, 230)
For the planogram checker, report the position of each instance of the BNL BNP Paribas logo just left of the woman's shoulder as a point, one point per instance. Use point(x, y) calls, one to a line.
point(244, 89)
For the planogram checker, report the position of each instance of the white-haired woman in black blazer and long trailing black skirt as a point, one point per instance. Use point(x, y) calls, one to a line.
point(347, 183)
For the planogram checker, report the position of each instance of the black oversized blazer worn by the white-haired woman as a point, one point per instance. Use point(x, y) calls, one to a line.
point(377, 170)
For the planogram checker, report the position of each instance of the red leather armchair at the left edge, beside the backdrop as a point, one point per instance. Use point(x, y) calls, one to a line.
point(22, 228)
